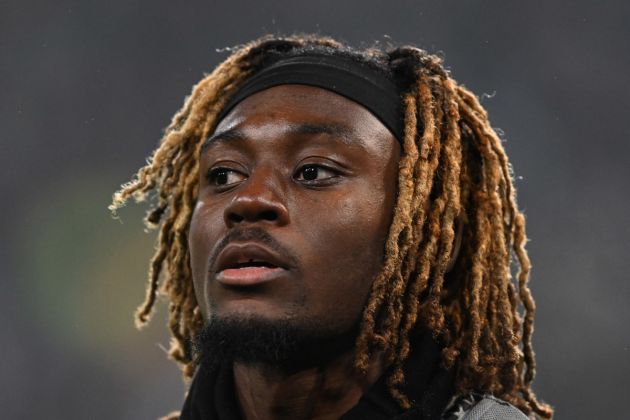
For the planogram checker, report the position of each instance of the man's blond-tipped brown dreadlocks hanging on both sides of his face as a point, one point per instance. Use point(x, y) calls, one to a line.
point(453, 171)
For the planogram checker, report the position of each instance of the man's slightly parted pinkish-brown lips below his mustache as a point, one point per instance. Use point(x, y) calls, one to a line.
point(248, 264)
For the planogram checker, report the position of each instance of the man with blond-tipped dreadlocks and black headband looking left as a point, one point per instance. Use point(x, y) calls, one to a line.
point(336, 231)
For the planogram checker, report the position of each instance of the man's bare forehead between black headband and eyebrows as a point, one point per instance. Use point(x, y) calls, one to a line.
point(305, 108)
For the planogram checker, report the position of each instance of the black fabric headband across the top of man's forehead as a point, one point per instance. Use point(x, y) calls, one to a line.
point(342, 75)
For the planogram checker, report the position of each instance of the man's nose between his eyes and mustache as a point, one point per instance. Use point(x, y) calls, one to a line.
point(259, 199)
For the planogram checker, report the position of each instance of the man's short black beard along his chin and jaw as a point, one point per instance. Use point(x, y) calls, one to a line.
point(286, 345)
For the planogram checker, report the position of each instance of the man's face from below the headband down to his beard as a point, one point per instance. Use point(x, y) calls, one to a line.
point(296, 194)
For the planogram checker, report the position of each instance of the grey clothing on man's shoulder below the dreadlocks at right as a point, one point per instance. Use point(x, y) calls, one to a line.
point(475, 406)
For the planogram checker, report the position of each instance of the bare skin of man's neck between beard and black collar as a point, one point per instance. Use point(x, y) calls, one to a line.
point(320, 393)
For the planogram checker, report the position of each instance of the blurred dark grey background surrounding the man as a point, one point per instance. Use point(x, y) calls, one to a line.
point(86, 88)
